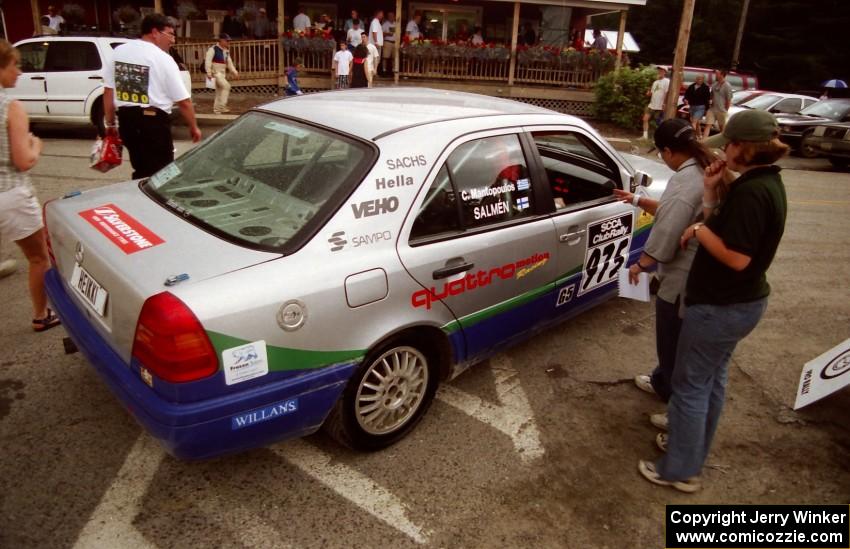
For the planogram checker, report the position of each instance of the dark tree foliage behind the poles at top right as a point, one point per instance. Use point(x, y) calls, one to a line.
point(791, 45)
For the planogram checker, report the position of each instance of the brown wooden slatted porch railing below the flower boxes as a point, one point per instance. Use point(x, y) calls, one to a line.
point(259, 59)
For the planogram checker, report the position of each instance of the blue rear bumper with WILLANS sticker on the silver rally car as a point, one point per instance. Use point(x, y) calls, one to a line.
point(283, 408)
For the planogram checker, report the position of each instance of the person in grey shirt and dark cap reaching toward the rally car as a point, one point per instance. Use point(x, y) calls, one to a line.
point(679, 207)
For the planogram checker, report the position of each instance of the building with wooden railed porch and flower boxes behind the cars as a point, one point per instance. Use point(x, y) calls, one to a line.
point(534, 51)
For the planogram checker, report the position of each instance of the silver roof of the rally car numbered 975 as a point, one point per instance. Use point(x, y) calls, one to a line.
point(370, 113)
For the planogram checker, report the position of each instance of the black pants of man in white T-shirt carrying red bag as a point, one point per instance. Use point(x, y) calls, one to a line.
point(147, 135)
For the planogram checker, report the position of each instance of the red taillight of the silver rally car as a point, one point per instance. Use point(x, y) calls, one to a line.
point(171, 343)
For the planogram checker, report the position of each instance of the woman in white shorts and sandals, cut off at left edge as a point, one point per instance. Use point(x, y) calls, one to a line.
point(20, 212)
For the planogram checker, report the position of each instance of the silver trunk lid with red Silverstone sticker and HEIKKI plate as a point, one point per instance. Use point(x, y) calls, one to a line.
point(115, 247)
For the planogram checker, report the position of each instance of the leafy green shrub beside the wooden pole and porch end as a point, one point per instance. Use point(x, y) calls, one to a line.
point(621, 96)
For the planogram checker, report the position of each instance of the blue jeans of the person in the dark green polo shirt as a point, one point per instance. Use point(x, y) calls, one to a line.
point(708, 338)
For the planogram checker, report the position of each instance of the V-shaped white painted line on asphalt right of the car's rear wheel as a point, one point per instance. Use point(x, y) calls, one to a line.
point(513, 417)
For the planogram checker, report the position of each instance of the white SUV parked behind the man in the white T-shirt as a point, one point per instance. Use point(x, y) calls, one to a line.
point(62, 78)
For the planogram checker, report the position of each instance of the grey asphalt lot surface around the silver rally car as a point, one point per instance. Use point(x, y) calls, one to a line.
point(537, 447)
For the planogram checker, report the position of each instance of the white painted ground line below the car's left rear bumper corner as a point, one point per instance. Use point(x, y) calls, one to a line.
point(111, 523)
